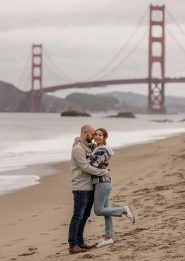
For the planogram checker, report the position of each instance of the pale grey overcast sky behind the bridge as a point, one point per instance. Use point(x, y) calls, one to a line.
point(80, 38)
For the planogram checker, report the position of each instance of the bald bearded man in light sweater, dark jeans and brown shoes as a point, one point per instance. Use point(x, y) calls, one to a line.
point(83, 193)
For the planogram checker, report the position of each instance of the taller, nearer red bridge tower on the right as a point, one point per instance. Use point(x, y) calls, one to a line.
point(156, 101)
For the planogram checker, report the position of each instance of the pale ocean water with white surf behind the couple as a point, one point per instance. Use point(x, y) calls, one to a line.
point(28, 139)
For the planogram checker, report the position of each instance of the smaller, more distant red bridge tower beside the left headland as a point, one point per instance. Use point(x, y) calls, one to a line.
point(36, 102)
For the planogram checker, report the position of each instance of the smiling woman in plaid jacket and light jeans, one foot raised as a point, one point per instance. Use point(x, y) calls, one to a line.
point(99, 157)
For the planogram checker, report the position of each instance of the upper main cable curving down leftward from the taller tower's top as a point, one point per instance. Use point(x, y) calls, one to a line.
point(122, 48)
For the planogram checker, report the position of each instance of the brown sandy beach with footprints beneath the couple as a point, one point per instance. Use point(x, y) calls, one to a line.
point(149, 177)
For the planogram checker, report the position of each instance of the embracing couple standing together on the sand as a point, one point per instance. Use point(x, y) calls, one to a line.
point(91, 183)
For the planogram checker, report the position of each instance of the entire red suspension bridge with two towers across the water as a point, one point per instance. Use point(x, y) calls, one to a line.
point(156, 85)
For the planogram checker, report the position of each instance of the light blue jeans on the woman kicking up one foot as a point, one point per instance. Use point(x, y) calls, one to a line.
point(101, 206)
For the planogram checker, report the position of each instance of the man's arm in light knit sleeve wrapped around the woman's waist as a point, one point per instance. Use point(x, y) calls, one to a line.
point(80, 157)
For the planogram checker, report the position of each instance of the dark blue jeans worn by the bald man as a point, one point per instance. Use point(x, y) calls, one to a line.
point(83, 201)
